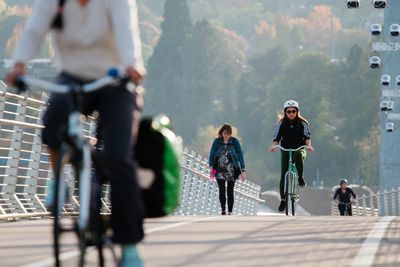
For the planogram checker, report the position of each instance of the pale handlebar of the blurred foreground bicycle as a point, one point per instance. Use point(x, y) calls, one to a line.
point(111, 78)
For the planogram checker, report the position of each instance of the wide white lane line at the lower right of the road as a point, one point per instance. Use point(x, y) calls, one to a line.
point(366, 254)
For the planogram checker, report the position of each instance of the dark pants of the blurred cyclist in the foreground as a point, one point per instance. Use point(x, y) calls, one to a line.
point(116, 107)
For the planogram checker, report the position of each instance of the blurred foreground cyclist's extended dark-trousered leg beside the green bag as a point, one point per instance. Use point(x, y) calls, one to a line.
point(116, 108)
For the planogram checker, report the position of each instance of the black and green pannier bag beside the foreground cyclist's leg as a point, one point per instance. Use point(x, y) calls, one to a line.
point(158, 152)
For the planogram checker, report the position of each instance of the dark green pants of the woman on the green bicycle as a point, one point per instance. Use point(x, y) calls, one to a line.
point(298, 158)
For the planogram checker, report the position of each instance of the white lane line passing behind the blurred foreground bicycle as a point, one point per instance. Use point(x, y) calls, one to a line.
point(75, 253)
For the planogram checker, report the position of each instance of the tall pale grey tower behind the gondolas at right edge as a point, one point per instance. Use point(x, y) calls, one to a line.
point(389, 164)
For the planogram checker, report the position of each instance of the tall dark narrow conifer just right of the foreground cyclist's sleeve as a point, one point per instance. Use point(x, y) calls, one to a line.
point(165, 65)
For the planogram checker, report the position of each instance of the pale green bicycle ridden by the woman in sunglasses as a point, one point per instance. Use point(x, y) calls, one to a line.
point(292, 191)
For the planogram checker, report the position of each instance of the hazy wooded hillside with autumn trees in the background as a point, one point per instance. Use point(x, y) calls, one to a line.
point(237, 61)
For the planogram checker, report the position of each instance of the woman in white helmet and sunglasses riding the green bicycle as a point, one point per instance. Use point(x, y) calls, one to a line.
point(292, 131)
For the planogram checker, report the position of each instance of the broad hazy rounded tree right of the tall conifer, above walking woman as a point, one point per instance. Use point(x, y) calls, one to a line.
point(212, 68)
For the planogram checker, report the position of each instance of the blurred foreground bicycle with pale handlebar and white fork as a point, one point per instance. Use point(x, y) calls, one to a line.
point(74, 150)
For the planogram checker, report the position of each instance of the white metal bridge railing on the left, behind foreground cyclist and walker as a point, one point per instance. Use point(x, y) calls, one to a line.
point(25, 168)
